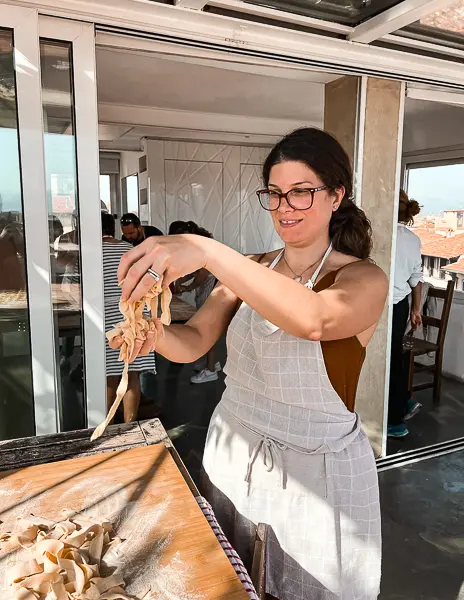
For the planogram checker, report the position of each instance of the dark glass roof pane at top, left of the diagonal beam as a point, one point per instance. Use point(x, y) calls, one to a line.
point(348, 12)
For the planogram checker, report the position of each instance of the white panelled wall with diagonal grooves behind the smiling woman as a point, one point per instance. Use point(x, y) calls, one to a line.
point(215, 186)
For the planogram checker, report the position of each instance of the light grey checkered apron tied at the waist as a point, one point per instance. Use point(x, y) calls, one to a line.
point(283, 449)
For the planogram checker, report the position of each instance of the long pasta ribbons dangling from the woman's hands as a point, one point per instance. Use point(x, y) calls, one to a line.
point(134, 327)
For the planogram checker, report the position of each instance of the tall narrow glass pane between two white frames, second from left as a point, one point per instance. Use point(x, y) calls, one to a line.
point(63, 210)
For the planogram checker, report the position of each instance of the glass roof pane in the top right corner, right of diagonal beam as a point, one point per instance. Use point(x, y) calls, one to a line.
point(445, 26)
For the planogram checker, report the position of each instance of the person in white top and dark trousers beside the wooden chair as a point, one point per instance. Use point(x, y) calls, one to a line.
point(407, 283)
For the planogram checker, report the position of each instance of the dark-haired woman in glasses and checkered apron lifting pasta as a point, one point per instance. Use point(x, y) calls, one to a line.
point(283, 446)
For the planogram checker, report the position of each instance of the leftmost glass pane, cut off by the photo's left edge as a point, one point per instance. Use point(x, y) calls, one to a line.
point(16, 394)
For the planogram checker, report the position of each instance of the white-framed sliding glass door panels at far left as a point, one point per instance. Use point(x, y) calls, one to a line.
point(51, 295)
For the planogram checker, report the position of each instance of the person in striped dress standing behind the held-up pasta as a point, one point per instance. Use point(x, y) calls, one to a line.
point(113, 250)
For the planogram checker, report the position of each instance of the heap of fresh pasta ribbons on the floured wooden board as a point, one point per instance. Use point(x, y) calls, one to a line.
point(63, 561)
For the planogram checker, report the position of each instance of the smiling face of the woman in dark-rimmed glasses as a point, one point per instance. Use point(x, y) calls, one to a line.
point(301, 227)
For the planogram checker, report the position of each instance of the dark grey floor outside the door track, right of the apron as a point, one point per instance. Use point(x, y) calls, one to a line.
point(423, 530)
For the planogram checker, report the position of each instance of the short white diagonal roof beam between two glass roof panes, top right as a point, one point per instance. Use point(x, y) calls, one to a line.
point(394, 18)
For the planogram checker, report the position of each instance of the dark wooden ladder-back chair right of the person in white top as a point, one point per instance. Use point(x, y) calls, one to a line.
point(421, 347)
